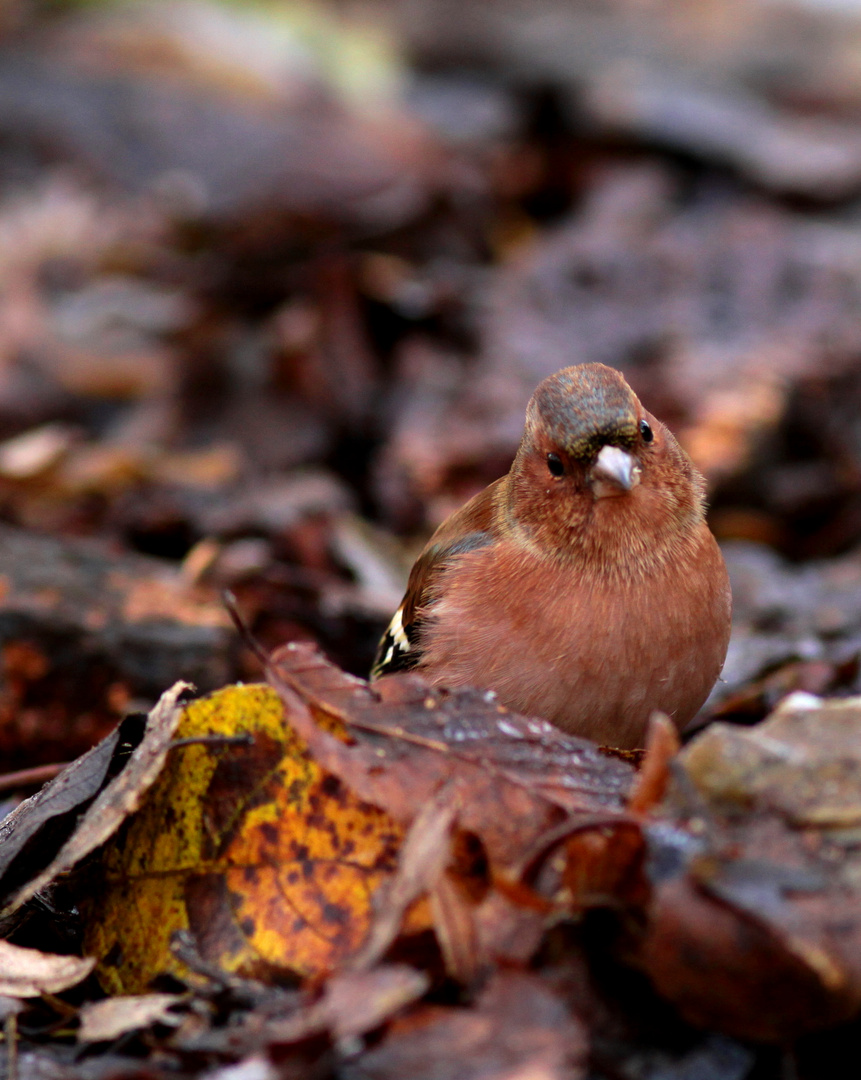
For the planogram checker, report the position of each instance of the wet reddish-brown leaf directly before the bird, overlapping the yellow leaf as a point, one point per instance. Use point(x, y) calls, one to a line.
point(409, 738)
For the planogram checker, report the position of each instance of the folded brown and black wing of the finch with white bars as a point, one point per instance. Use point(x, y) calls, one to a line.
point(400, 649)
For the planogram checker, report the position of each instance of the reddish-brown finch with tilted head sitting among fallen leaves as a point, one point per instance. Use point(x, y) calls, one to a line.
point(585, 587)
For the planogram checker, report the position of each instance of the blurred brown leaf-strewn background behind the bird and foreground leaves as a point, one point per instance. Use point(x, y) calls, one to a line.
point(277, 281)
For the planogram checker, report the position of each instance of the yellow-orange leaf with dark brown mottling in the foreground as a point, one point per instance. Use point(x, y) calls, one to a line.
point(267, 860)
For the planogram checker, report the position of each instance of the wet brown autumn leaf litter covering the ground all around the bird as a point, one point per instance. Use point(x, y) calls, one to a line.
point(241, 306)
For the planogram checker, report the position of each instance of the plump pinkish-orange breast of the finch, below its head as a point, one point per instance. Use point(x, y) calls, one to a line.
point(594, 654)
